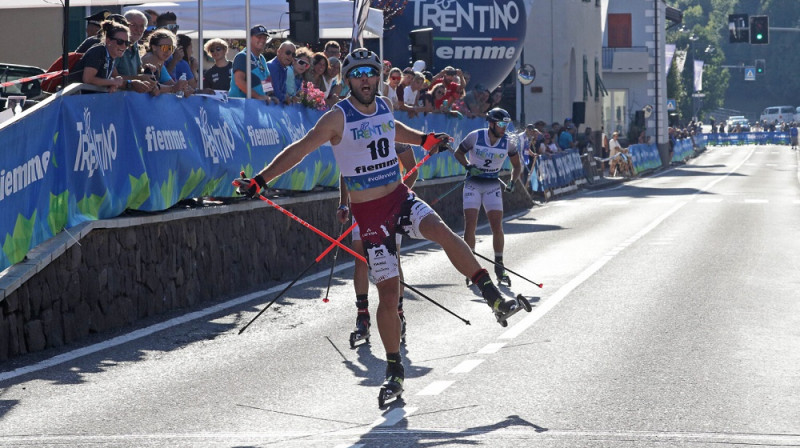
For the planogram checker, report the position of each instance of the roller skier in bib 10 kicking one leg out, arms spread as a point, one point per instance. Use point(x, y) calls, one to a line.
point(363, 132)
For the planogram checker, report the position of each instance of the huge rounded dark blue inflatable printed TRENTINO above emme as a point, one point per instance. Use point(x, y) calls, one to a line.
point(482, 37)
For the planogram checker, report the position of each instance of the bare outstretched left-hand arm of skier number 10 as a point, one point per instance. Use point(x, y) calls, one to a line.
point(328, 128)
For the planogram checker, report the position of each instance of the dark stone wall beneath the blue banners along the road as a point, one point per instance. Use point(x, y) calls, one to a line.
point(115, 274)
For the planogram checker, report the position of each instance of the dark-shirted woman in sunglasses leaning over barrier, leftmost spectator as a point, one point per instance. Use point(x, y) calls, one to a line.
point(96, 66)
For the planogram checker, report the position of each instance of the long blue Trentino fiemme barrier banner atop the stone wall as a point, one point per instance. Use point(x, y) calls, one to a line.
point(92, 157)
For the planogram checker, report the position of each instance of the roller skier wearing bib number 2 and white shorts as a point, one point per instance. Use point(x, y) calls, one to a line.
point(483, 153)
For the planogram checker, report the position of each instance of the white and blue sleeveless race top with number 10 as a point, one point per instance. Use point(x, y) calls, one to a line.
point(366, 154)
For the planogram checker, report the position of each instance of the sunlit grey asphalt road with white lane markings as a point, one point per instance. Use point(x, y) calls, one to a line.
point(669, 317)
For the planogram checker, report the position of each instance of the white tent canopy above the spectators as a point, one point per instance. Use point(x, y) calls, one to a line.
point(226, 18)
